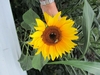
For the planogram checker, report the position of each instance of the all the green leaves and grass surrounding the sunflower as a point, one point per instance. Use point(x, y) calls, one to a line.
point(84, 60)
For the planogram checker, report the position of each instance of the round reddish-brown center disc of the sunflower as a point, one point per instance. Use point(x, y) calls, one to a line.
point(51, 35)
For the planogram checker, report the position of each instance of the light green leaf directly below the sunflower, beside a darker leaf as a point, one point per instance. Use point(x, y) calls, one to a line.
point(38, 61)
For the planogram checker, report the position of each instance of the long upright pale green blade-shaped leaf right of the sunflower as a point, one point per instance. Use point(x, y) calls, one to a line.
point(88, 16)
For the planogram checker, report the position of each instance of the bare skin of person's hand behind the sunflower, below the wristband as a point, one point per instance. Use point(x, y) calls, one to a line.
point(51, 8)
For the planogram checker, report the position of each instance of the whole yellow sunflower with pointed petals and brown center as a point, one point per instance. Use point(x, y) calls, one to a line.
point(54, 37)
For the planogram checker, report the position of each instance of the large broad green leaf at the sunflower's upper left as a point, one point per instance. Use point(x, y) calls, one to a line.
point(29, 18)
